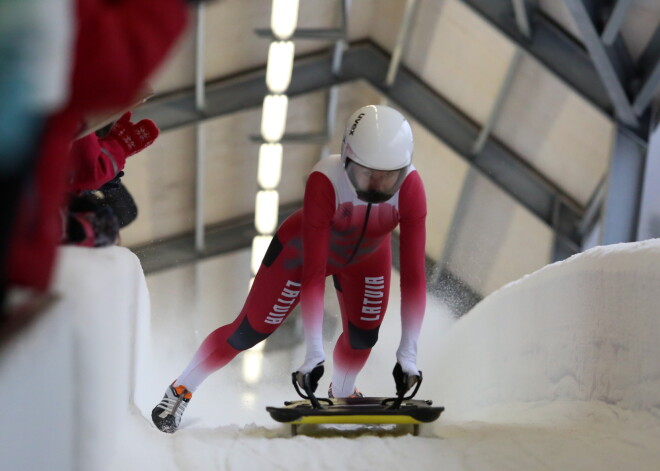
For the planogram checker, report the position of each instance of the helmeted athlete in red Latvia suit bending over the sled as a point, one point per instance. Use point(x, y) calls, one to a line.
point(352, 203)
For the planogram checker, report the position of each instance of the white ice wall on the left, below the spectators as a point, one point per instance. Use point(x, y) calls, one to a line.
point(69, 375)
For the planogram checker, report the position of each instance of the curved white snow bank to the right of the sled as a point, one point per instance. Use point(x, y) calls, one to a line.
point(585, 329)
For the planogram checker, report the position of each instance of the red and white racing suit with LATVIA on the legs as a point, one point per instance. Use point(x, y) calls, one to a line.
point(335, 234)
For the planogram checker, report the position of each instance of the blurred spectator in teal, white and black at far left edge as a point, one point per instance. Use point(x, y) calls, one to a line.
point(35, 47)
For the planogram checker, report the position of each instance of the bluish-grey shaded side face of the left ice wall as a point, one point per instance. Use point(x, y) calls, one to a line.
point(37, 406)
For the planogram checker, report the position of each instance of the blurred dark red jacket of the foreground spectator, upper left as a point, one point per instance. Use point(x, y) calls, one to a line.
point(118, 45)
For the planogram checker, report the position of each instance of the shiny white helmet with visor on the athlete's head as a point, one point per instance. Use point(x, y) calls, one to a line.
point(376, 151)
